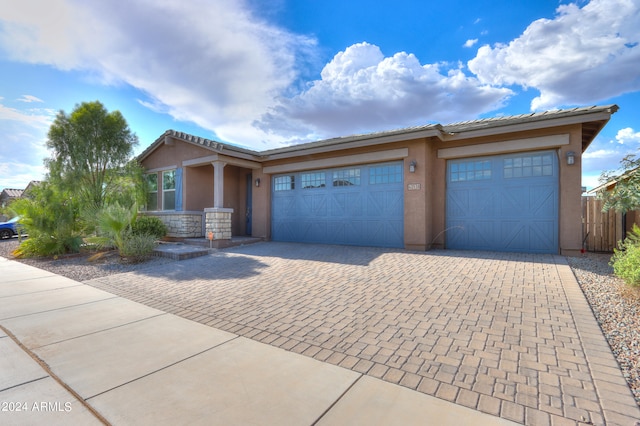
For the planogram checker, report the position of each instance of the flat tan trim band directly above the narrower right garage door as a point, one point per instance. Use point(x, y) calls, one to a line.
point(505, 147)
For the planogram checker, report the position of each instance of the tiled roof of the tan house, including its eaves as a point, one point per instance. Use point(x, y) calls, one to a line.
point(593, 119)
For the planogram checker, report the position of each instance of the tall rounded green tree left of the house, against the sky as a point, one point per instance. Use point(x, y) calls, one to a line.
point(91, 150)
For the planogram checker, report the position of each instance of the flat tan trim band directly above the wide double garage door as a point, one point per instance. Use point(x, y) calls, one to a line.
point(347, 160)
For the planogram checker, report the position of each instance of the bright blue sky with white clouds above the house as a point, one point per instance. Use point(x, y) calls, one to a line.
point(268, 73)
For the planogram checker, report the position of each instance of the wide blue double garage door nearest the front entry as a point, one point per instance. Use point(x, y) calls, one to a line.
point(359, 205)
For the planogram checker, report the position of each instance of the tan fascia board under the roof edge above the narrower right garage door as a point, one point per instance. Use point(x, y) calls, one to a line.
point(535, 125)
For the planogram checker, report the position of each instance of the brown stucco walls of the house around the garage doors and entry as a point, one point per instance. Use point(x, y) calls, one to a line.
point(424, 190)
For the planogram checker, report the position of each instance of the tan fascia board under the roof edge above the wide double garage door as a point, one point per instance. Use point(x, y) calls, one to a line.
point(365, 142)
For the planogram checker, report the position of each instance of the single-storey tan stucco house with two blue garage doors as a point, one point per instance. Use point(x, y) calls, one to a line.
point(503, 184)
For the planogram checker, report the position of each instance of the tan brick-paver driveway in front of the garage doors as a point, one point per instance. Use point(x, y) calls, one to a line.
point(506, 334)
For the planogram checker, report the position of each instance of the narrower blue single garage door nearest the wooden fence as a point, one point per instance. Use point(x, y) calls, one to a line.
point(503, 203)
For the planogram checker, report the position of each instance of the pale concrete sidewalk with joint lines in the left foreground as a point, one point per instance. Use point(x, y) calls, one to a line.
point(73, 354)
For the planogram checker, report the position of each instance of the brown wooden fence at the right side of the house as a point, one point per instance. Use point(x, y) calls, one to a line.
point(600, 231)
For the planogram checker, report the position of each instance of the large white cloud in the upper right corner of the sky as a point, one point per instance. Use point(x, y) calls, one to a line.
point(582, 56)
